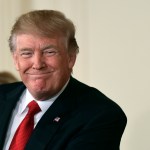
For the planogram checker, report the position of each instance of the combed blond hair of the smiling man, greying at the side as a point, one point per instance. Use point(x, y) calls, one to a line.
point(46, 23)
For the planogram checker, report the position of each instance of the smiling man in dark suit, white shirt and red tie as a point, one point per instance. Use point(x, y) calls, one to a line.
point(69, 114)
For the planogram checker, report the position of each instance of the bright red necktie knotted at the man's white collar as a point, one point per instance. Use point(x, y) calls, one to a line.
point(25, 128)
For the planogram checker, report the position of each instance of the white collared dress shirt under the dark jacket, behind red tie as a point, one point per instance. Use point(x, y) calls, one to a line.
point(21, 110)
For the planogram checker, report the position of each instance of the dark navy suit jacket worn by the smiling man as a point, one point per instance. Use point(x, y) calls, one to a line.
point(88, 119)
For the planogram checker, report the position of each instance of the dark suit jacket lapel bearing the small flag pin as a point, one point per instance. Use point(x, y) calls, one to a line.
point(56, 115)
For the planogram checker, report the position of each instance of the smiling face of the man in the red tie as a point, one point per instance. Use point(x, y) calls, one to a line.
point(44, 64)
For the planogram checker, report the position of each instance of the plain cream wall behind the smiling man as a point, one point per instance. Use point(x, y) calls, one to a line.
point(114, 41)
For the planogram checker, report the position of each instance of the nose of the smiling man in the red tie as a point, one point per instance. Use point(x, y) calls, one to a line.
point(38, 62)
